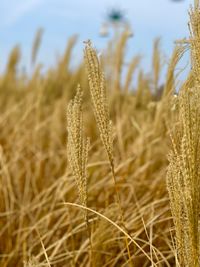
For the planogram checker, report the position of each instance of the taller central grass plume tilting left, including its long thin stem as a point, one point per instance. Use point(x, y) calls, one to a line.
point(99, 99)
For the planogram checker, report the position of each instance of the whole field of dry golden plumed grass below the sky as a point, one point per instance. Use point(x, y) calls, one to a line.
point(95, 169)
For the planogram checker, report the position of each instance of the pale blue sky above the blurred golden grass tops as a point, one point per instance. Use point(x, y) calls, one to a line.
point(60, 19)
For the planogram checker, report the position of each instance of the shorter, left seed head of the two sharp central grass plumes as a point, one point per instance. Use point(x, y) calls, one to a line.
point(78, 145)
